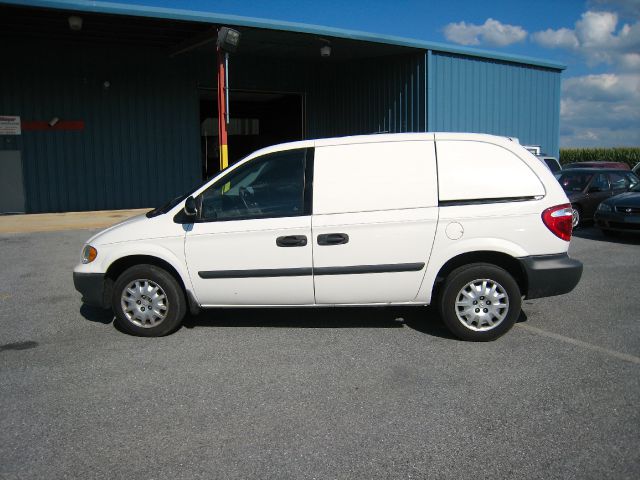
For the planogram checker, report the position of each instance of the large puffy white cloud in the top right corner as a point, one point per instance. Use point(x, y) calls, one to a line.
point(598, 39)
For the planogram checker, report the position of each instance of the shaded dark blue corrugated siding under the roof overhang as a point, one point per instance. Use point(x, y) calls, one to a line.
point(140, 145)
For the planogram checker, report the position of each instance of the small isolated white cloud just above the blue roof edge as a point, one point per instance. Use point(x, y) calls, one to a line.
point(491, 32)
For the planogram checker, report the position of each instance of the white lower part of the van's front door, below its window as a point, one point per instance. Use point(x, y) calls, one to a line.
point(249, 245)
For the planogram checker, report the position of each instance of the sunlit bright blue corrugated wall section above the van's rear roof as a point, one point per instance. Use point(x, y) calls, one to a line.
point(487, 96)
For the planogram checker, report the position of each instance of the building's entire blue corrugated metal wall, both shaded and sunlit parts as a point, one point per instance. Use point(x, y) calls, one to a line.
point(141, 143)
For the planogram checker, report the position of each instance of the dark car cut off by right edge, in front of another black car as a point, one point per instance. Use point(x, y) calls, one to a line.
point(620, 213)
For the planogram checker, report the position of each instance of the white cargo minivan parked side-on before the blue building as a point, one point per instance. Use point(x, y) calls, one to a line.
point(473, 223)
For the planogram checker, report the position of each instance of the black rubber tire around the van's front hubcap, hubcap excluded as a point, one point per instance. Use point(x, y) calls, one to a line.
point(176, 305)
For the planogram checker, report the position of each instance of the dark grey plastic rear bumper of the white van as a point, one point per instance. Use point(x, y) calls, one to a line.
point(549, 275)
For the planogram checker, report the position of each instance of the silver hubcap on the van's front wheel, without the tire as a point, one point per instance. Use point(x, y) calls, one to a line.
point(144, 303)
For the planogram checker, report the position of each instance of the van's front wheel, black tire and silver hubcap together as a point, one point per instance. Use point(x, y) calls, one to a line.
point(148, 301)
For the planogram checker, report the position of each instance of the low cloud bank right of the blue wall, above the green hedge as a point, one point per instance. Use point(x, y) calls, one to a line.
point(600, 110)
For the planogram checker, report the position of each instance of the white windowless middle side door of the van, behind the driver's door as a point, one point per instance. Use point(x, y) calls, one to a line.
point(390, 218)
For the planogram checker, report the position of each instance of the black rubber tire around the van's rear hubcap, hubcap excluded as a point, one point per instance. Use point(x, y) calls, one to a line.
point(465, 275)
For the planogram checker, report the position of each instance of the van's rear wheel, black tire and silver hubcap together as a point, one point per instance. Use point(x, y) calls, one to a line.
point(480, 302)
